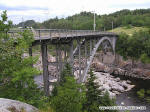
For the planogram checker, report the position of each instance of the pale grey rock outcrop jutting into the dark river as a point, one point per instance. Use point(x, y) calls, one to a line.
point(113, 85)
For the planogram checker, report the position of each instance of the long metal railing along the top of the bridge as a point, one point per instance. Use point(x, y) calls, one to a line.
point(52, 33)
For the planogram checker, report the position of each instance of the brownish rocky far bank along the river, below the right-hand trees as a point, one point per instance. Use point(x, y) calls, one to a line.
point(134, 72)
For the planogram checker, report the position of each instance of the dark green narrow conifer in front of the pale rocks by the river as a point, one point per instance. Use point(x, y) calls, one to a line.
point(94, 97)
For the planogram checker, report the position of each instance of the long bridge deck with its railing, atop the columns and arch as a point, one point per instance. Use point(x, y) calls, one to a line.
point(52, 34)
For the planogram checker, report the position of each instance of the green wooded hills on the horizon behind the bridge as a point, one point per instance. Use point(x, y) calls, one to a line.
point(84, 20)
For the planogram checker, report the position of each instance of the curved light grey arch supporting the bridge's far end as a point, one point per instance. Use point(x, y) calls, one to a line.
point(112, 42)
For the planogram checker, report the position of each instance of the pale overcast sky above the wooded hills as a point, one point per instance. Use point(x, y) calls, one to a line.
point(39, 10)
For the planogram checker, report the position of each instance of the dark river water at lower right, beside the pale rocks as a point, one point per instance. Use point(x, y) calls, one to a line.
point(130, 98)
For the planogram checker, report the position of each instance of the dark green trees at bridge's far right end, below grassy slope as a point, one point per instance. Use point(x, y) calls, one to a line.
point(135, 47)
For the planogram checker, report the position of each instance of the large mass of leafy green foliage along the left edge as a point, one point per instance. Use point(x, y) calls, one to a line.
point(16, 73)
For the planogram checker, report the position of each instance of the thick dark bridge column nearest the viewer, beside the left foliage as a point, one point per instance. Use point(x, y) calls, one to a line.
point(45, 68)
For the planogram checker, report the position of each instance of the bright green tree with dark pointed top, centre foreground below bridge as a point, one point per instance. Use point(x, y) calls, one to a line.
point(67, 96)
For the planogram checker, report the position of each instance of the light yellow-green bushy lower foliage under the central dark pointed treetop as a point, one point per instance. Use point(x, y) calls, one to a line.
point(69, 97)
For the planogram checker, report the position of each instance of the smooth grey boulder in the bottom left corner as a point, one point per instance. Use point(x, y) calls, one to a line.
point(7, 105)
